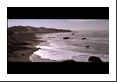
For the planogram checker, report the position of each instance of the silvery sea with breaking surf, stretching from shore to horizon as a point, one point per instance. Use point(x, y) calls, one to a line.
point(75, 47)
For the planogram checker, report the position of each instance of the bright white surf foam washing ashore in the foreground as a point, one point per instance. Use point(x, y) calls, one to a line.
point(49, 52)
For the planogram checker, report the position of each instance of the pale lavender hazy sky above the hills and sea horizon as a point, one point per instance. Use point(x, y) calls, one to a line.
point(71, 24)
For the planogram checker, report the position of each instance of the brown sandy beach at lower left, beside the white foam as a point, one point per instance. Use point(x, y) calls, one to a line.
point(23, 55)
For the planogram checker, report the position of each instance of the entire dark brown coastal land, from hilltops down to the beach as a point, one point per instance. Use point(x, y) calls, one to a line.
point(22, 41)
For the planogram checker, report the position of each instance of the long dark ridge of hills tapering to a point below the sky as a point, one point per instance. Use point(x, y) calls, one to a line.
point(30, 29)
